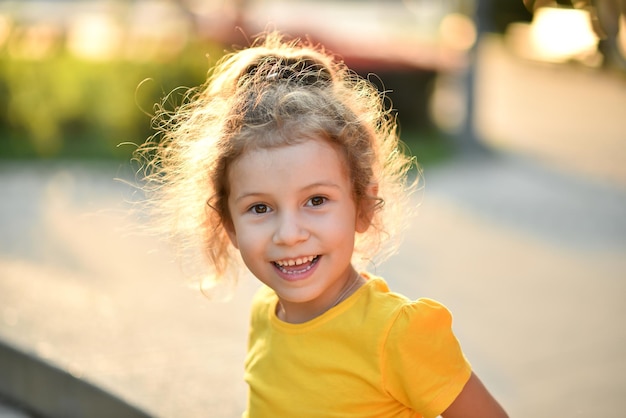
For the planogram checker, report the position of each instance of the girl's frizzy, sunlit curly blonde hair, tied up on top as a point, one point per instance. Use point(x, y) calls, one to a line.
point(273, 93)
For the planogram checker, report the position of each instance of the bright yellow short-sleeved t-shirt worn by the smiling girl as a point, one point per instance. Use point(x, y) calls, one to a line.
point(376, 354)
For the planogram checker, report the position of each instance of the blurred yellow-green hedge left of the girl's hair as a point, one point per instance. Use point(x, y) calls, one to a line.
point(64, 106)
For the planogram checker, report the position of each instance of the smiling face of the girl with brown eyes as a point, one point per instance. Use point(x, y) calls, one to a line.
point(294, 221)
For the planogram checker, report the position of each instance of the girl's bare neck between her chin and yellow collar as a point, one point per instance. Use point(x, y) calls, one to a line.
point(298, 313)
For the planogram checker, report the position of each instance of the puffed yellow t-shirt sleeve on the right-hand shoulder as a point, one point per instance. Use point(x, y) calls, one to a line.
point(423, 365)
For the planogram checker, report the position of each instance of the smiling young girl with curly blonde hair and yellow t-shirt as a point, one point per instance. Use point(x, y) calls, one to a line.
point(290, 162)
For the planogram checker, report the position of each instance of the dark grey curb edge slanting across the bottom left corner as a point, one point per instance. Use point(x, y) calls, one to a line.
point(47, 391)
